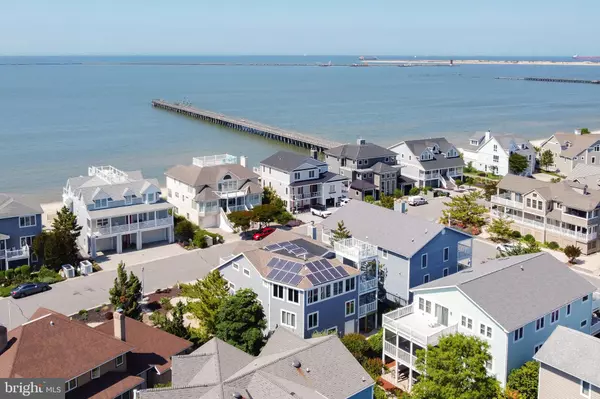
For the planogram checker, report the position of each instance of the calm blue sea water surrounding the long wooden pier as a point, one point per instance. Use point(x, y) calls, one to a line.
point(57, 118)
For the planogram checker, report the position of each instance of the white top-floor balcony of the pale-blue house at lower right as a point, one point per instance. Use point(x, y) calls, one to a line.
point(421, 329)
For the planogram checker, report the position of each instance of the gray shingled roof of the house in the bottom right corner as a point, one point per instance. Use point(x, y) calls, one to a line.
point(572, 352)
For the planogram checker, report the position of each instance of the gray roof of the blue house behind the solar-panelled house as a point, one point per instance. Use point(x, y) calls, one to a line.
point(391, 230)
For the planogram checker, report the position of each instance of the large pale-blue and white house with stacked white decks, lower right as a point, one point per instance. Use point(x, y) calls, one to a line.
point(512, 303)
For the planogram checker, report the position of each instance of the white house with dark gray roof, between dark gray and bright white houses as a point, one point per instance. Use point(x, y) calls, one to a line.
point(430, 162)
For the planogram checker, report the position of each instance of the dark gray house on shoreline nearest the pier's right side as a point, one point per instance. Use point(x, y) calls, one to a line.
point(371, 168)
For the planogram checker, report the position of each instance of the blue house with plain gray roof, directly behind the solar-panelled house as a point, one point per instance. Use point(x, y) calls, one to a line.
point(411, 250)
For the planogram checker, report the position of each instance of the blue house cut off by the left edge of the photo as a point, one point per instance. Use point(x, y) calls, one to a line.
point(20, 222)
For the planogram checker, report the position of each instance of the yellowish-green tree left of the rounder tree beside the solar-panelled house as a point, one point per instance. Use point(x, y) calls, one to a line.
point(210, 293)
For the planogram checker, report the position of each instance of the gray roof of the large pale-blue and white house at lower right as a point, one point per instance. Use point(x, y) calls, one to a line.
point(517, 290)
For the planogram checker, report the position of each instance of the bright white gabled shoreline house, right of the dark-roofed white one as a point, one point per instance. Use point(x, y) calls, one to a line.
point(490, 152)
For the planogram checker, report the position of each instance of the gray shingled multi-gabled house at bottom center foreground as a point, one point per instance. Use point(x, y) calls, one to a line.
point(287, 367)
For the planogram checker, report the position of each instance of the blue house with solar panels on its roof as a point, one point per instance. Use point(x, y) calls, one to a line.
point(307, 287)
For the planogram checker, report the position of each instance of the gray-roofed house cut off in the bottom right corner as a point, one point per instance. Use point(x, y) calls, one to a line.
point(569, 365)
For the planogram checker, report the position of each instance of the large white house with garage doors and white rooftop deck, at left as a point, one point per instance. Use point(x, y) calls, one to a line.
point(118, 210)
